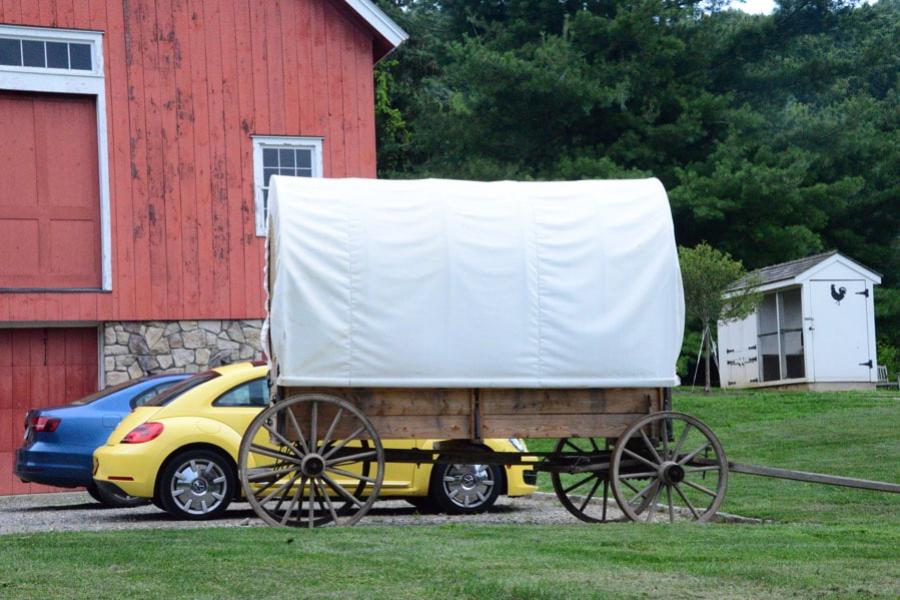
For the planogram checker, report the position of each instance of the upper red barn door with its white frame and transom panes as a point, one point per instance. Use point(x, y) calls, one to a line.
point(52, 88)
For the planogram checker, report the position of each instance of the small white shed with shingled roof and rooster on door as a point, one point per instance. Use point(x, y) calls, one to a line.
point(814, 329)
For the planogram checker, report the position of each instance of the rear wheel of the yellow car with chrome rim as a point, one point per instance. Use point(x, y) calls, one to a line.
point(196, 485)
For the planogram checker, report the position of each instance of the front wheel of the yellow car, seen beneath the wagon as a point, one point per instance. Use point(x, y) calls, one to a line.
point(465, 489)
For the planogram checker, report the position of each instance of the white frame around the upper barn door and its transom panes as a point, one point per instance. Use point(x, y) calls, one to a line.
point(71, 81)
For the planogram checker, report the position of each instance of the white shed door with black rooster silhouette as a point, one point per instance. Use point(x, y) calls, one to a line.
point(840, 335)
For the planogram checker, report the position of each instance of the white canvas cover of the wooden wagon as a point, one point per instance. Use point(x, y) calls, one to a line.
point(443, 283)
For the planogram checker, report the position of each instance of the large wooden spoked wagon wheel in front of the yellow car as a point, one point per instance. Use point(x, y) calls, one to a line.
point(307, 461)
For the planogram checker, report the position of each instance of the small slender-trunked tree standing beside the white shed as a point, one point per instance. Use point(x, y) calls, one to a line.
point(708, 274)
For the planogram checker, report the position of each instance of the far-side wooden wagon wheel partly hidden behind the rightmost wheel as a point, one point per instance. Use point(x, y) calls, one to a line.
point(585, 495)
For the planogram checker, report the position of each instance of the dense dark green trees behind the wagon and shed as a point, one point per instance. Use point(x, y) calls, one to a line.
point(777, 136)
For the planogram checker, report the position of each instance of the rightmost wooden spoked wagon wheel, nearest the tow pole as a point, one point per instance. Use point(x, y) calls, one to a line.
point(687, 470)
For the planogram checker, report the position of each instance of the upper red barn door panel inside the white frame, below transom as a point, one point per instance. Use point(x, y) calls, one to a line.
point(50, 197)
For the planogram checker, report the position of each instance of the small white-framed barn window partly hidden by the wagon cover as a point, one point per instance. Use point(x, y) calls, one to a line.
point(292, 156)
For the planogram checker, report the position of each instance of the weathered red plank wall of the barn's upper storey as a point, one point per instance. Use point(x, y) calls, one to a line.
point(187, 84)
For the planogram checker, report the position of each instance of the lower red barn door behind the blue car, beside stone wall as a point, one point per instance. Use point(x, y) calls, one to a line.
point(39, 368)
